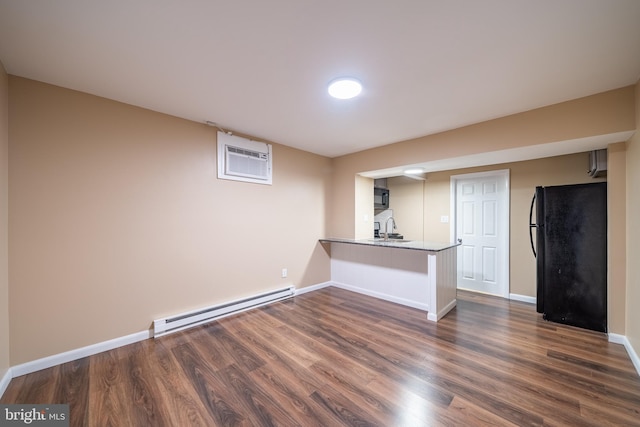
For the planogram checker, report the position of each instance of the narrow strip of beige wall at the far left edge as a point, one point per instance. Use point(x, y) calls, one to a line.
point(4, 210)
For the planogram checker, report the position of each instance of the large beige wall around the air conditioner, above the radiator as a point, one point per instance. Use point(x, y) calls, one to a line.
point(117, 218)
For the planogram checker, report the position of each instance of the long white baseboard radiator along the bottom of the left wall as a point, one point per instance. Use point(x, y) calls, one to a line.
point(197, 317)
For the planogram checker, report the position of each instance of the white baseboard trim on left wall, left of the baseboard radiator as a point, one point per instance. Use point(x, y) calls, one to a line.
point(68, 356)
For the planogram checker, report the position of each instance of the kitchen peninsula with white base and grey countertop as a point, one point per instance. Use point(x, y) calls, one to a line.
point(414, 273)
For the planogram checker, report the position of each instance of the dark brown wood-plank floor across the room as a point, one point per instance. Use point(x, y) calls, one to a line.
point(333, 358)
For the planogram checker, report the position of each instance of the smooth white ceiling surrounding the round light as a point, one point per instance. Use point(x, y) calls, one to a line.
point(261, 67)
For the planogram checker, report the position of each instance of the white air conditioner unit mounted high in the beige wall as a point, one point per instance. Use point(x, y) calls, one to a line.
point(241, 159)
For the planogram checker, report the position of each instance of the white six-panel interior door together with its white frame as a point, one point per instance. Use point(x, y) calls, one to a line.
point(482, 222)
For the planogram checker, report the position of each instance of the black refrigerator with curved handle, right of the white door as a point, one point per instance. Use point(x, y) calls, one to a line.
point(571, 253)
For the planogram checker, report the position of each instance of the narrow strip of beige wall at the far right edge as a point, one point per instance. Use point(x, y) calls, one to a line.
point(633, 233)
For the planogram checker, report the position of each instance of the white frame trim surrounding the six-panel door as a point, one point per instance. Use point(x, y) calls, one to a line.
point(504, 221)
